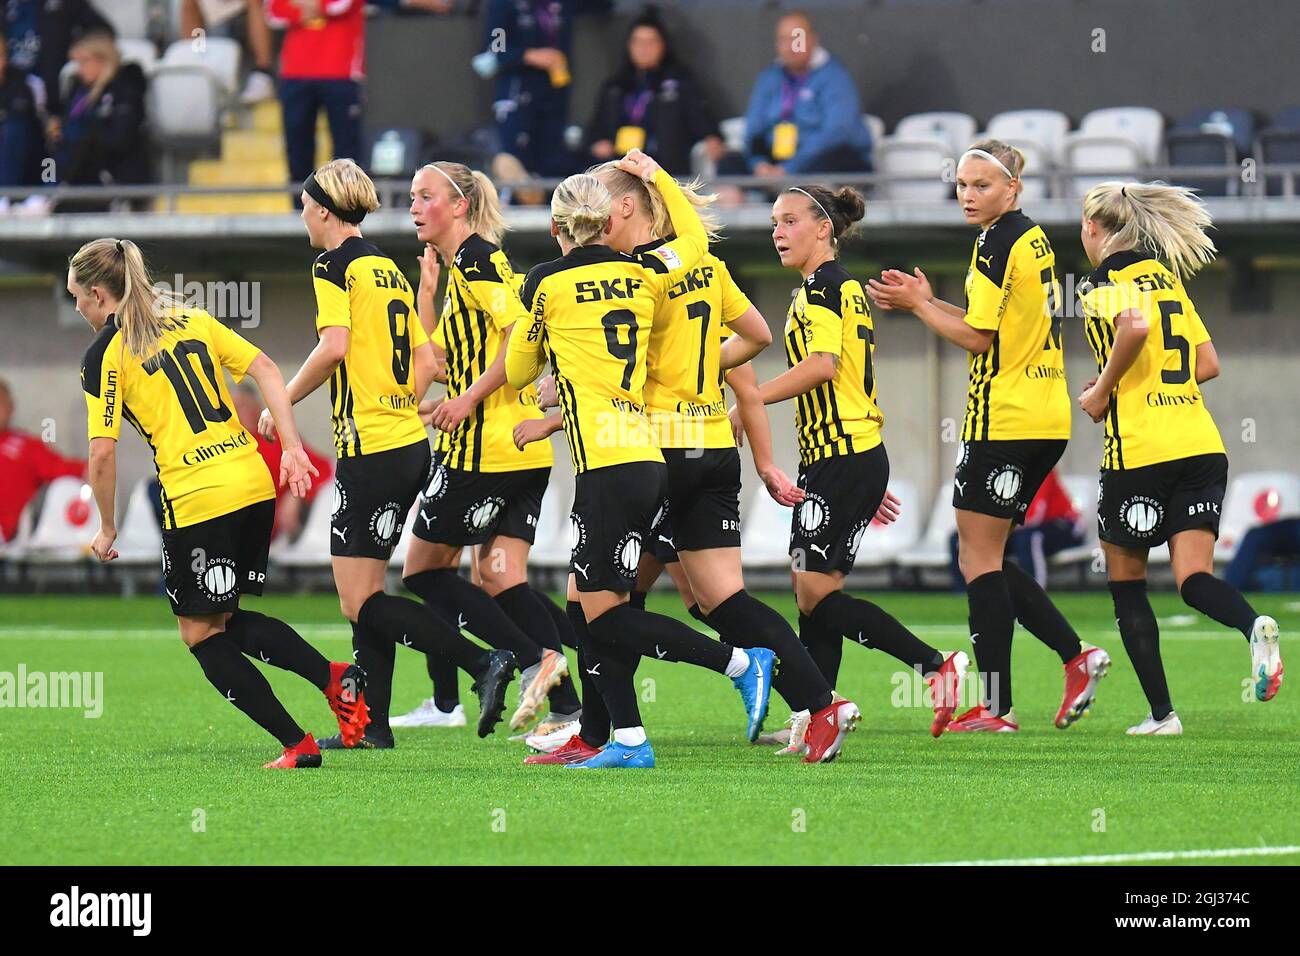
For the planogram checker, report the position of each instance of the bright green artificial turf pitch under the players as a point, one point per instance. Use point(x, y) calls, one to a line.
point(172, 775)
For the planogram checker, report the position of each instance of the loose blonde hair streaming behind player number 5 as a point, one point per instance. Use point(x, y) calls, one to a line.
point(1168, 222)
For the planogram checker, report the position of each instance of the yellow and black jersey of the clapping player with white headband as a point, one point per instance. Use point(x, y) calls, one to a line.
point(1017, 388)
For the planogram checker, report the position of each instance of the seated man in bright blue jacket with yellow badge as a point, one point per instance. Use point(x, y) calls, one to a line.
point(804, 115)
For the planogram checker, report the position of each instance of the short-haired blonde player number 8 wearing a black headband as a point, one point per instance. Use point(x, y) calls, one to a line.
point(379, 362)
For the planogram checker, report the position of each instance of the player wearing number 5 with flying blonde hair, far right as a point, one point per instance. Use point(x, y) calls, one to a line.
point(1164, 471)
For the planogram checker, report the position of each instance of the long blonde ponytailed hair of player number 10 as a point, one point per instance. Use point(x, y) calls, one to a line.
point(118, 267)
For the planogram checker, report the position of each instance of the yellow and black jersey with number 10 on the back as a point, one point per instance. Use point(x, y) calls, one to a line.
point(179, 401)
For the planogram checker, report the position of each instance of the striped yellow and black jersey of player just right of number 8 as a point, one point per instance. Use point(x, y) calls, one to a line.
point(482, 304)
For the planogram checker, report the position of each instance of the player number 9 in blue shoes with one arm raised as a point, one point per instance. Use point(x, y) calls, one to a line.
point(592, 313)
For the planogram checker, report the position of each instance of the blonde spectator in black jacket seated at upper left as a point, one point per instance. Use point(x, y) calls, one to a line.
point(101, 139)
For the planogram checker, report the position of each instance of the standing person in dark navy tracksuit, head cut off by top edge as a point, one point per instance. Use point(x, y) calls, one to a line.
point(527, 51)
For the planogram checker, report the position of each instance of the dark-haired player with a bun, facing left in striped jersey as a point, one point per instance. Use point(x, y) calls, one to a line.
point(844, 470)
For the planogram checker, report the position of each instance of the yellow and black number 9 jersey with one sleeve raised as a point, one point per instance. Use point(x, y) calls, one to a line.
point(592, 315)
